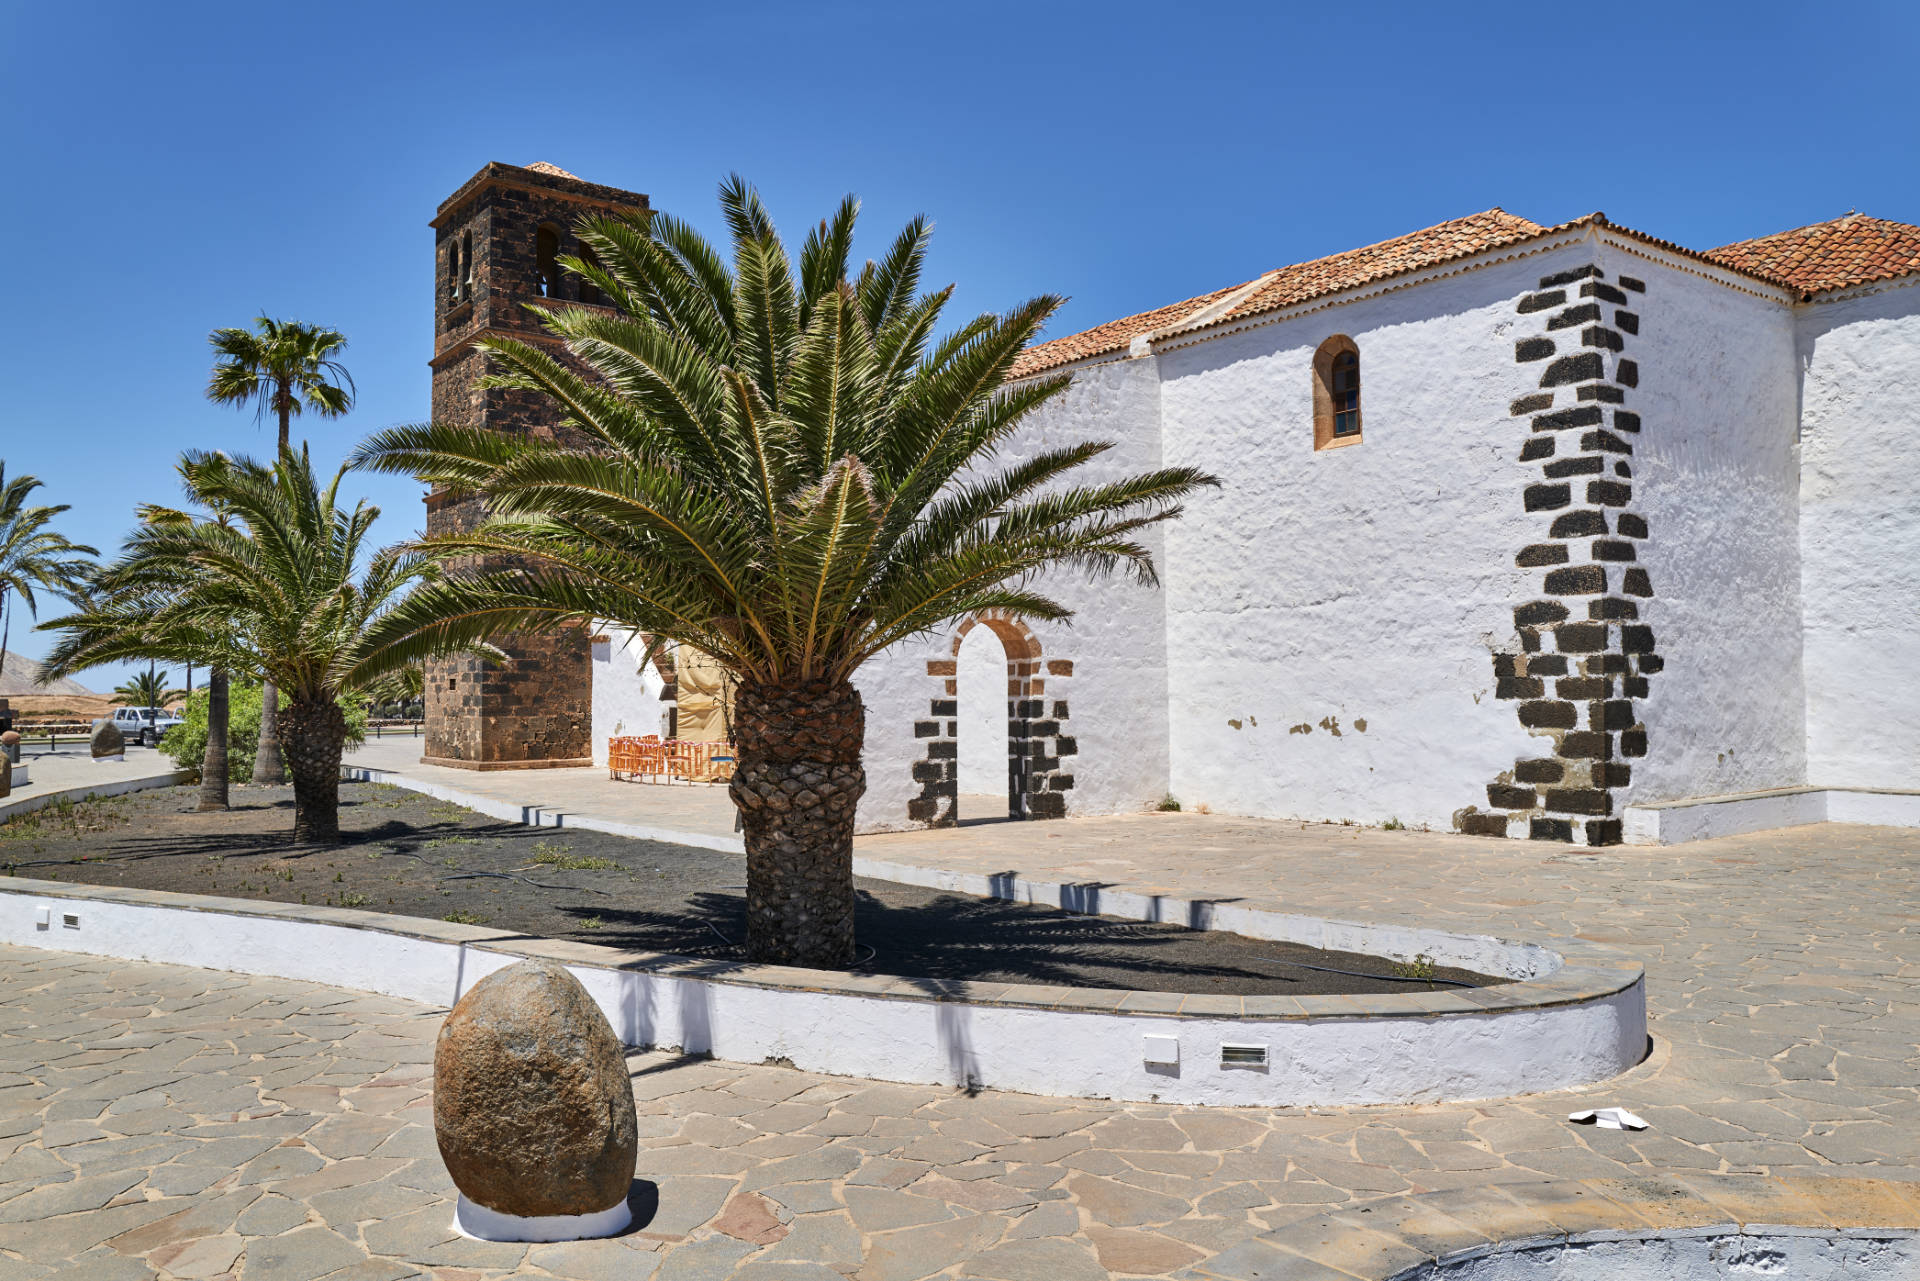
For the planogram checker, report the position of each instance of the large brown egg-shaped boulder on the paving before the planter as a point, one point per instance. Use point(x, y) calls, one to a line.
point(533, 1105)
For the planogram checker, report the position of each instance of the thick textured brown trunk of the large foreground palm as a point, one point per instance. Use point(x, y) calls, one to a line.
point(798, 785)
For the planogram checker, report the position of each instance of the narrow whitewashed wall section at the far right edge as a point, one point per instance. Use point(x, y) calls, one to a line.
point(1860, 537)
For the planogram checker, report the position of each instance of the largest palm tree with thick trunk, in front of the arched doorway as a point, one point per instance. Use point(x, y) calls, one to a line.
point(784, 468)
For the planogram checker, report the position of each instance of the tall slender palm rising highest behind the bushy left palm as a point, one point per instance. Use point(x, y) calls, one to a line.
point(279, 366)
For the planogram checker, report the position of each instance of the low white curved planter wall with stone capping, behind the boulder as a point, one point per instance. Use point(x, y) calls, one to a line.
point(1579, 1027)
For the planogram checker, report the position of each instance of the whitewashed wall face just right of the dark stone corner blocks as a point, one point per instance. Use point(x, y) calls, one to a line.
point(1717, 479)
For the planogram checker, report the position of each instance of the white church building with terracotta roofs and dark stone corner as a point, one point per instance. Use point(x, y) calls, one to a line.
point(1558, 533)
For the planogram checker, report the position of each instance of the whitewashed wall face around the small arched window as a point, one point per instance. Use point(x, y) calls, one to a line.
point(1333, 614)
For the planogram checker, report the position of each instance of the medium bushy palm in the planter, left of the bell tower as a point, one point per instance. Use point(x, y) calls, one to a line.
point(272, 594)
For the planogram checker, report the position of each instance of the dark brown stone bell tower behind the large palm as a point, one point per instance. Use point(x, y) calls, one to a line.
point(496, 243)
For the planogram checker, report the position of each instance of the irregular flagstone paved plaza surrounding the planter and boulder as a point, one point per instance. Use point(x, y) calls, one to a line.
point(193, 1124)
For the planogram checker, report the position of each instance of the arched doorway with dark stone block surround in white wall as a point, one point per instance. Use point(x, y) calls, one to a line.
point(1040, 748)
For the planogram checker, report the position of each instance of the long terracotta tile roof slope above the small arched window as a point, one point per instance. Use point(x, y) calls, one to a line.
point(1293, 285)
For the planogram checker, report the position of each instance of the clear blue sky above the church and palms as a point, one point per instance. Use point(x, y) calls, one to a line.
point(174, 168)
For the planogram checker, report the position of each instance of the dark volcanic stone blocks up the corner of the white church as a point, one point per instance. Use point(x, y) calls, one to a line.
point(1591, 719)
